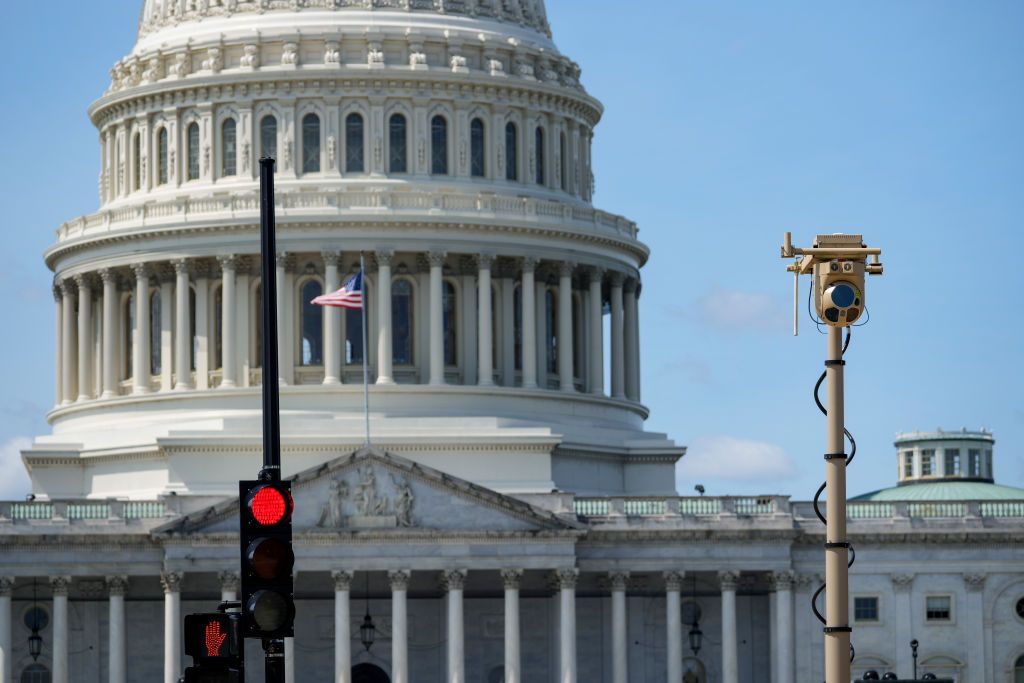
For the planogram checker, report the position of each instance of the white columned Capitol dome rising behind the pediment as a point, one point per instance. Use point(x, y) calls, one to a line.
point(448, 142)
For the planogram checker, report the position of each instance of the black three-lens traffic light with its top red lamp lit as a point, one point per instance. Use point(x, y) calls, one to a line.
point(266, 536)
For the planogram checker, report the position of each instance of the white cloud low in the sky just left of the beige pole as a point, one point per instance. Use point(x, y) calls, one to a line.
point(732, 459)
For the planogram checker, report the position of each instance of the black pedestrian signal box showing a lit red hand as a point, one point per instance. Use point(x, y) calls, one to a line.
point(218, 648)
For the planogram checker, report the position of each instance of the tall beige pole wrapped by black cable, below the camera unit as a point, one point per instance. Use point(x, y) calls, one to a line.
point(837, 548)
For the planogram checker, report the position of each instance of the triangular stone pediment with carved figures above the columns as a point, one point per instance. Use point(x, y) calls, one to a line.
point(374, 491)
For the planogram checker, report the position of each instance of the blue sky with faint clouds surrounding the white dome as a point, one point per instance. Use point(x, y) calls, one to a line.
point(727, 124)
